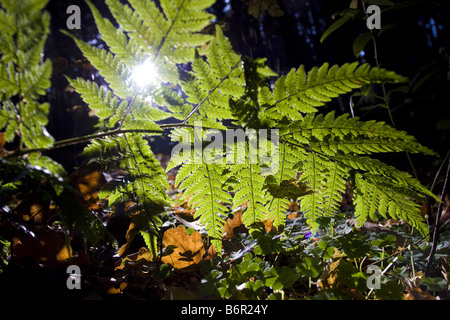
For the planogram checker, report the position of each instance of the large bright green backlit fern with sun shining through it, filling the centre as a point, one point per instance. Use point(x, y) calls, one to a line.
point(222, 86)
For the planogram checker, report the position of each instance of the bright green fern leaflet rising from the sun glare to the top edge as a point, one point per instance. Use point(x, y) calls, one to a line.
point(169, 36)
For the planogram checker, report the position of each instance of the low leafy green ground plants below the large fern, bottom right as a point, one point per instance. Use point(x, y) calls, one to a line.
point(332, 264)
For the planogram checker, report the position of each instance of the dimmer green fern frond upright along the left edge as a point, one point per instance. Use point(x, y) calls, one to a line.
point(24, 79)
